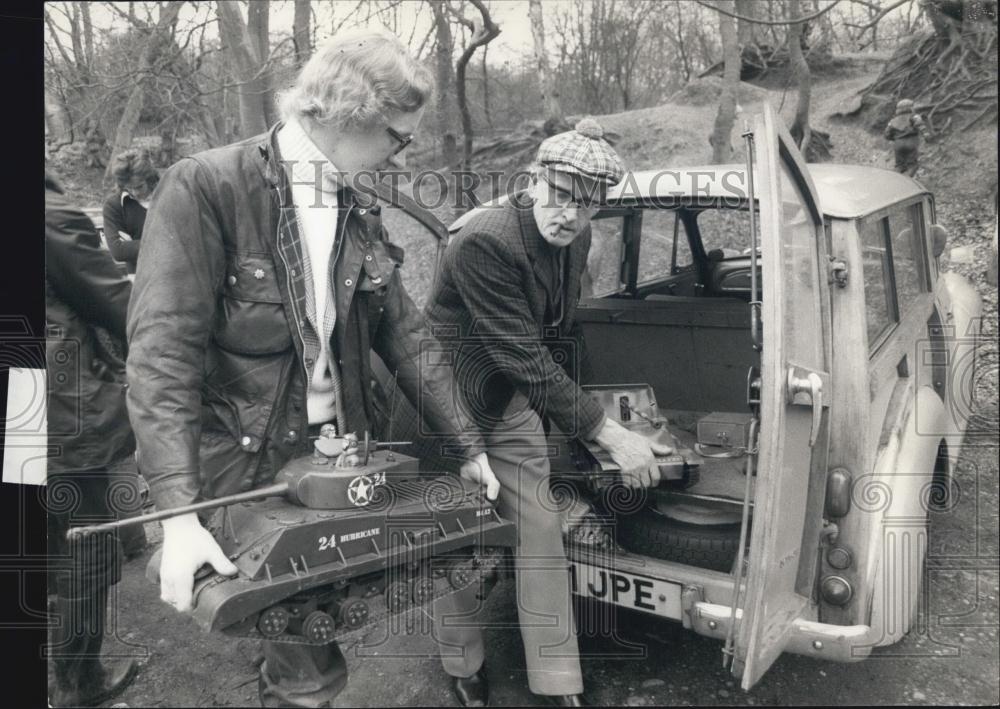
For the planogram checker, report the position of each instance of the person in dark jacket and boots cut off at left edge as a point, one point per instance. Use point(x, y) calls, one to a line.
point(90, 443)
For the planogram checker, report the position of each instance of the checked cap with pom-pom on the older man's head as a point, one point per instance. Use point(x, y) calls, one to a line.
point(584, 151)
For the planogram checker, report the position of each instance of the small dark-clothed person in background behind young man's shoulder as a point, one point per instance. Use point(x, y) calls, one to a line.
point(125, 209)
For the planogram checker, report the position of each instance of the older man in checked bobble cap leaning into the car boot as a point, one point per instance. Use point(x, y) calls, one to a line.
point(506, 294)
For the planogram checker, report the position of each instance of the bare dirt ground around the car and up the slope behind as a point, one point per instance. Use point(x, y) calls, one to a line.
point(951, 657)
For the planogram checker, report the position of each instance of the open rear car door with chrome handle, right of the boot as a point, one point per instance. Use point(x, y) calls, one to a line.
point(795, 388)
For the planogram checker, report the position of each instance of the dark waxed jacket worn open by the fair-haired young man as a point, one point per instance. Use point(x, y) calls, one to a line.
point(219, 342)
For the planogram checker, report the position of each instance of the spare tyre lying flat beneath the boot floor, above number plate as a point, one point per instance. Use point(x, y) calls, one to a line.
point(707, 546)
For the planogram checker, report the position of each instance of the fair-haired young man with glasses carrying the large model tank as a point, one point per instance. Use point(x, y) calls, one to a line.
point(266, 281)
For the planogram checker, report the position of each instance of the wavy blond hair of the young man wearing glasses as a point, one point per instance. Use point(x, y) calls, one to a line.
point(357, 78)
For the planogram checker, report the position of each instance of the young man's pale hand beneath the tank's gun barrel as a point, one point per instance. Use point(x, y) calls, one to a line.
point(186, 546)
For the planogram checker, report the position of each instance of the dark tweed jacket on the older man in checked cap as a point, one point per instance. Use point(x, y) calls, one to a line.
point(489, 304)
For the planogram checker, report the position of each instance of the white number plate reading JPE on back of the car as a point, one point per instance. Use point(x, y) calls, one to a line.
point(640, 593)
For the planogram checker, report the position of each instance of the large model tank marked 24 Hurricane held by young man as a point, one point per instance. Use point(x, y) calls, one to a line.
point(342, 539)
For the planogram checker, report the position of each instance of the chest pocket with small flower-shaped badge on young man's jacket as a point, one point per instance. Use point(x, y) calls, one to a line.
point(252, 319)
